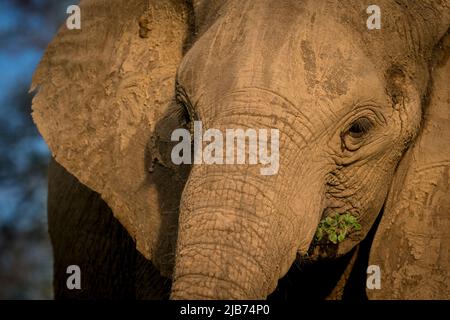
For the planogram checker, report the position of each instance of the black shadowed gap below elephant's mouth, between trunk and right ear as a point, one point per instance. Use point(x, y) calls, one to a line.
point(320, 275)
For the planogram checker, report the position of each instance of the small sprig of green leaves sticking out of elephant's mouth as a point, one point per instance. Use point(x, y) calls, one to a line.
point(335, 228)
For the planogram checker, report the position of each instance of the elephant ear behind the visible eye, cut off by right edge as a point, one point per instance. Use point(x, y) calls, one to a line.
point(412, 243)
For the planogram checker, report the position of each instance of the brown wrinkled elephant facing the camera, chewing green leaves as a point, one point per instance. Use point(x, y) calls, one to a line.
point(363, 120)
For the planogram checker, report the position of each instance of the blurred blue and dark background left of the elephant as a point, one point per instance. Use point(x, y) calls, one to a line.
point(26, 28)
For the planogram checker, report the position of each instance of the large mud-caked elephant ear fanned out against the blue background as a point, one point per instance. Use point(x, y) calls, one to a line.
point(101, 105)
